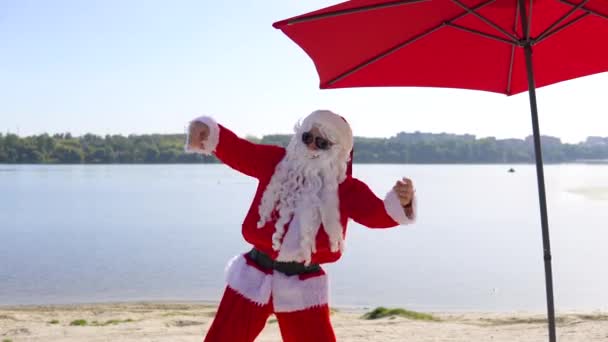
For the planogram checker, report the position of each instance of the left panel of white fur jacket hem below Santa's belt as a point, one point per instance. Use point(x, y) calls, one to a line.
point(248, 281)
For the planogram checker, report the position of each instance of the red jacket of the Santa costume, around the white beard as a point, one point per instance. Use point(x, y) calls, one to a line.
point(357, 201)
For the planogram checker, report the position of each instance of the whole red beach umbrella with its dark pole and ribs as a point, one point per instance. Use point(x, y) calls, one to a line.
point(471, 44)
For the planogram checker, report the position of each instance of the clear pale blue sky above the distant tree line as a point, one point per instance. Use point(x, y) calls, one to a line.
point(148, 66)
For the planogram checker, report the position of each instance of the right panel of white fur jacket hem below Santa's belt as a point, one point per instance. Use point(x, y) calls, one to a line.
point(290, 294)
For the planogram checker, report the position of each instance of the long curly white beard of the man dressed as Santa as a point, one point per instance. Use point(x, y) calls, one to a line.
point(304, 191)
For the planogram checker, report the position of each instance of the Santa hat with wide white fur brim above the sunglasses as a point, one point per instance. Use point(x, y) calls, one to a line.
point(338, 127)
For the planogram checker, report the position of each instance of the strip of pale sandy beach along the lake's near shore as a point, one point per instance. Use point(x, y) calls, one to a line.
point(164, 322)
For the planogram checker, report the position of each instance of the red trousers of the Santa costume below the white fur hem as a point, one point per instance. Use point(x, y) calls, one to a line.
point(241, 320)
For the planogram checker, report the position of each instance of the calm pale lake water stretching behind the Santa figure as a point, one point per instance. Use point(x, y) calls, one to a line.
point(84, 233)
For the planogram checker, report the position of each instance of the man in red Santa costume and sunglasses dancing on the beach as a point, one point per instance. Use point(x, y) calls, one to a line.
point(296, 222)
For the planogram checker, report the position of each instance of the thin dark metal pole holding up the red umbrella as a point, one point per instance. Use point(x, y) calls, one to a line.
point(541, 192)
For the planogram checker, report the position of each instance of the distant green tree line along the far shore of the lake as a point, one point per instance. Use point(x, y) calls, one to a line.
point(403, 148)
